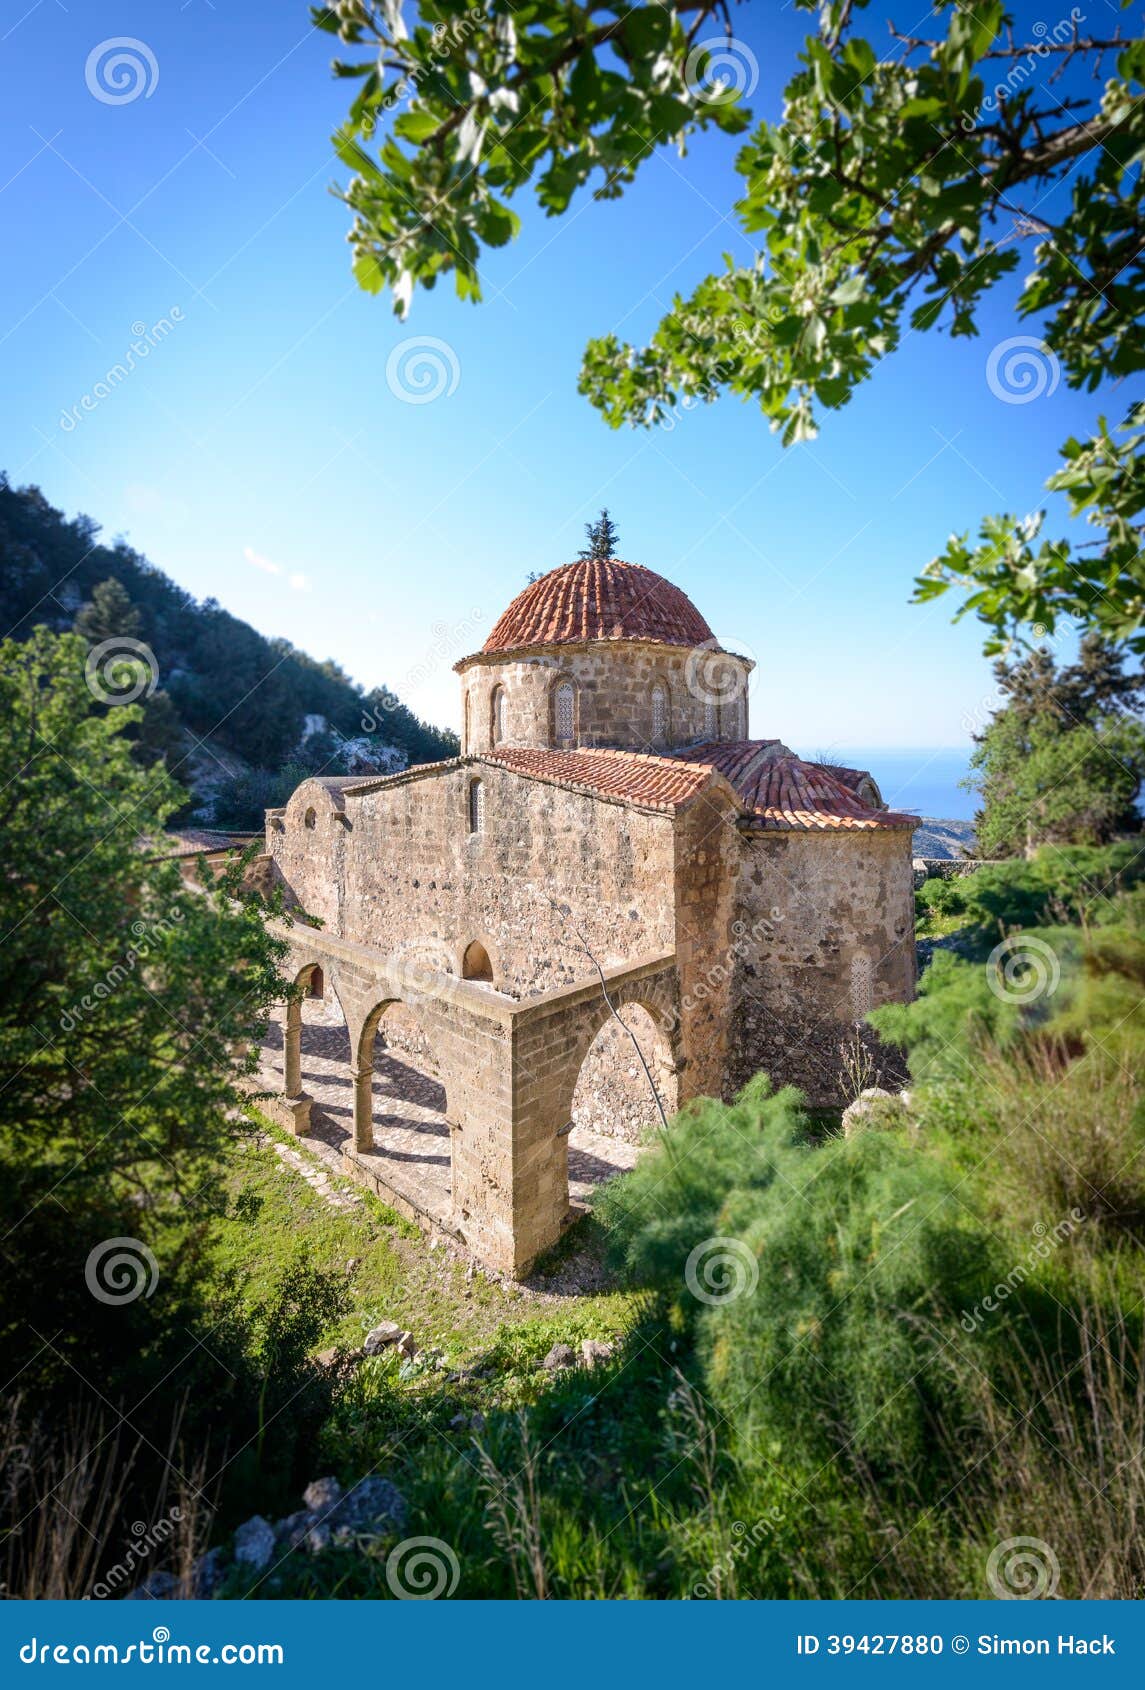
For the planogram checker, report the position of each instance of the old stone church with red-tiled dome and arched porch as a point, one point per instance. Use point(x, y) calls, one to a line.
point(614, 875)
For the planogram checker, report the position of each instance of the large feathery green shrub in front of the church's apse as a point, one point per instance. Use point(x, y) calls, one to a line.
point(864, 1258)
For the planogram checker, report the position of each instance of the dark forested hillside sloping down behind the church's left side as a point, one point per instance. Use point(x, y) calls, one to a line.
point(225, 707)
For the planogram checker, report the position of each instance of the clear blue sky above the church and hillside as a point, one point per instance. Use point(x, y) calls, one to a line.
point(258, 454)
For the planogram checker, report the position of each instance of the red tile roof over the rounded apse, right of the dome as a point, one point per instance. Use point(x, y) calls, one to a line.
point(784, 793)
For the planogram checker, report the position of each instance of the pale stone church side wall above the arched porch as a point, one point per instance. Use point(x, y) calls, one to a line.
point(399, 870)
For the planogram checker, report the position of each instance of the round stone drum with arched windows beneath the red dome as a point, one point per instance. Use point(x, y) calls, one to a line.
point(707, 695)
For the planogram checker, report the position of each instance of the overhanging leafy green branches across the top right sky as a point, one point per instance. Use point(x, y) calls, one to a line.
point(891, 199)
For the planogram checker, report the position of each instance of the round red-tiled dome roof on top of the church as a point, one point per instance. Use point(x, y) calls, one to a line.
point(599, 599)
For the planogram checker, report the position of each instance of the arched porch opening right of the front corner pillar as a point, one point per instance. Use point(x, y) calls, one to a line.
point(614, 1113)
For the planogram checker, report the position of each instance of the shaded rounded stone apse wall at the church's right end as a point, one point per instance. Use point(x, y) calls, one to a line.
point(823, 932)
